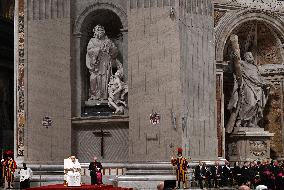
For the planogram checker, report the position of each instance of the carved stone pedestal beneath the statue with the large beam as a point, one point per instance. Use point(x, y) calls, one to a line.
point(249, 144)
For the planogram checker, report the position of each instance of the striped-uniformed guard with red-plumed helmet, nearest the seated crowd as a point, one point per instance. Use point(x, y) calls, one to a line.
point(181, 166)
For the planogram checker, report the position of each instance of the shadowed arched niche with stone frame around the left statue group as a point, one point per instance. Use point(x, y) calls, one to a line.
point(114, 20)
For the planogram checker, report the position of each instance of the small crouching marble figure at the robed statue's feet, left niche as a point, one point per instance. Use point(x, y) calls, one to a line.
point(117, 90)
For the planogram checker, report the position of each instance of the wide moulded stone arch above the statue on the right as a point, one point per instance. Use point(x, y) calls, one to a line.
point(232, 20)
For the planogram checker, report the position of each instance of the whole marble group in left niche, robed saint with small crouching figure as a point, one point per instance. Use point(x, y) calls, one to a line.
point(101, 58)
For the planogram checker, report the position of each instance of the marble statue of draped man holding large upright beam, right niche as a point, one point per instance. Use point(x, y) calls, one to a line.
point(250, 92)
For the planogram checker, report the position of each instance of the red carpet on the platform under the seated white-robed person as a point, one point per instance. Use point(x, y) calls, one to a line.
point(96, 187)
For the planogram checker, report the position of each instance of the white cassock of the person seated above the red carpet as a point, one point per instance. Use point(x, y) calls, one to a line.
point(73, 176)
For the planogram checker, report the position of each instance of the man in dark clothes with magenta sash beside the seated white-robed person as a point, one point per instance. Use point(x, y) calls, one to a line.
point(95, 168)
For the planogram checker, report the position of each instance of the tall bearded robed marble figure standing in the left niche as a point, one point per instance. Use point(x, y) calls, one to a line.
point(100, 58)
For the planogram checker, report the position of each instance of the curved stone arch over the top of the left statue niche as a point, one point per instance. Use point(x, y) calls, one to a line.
point(97, 6)
